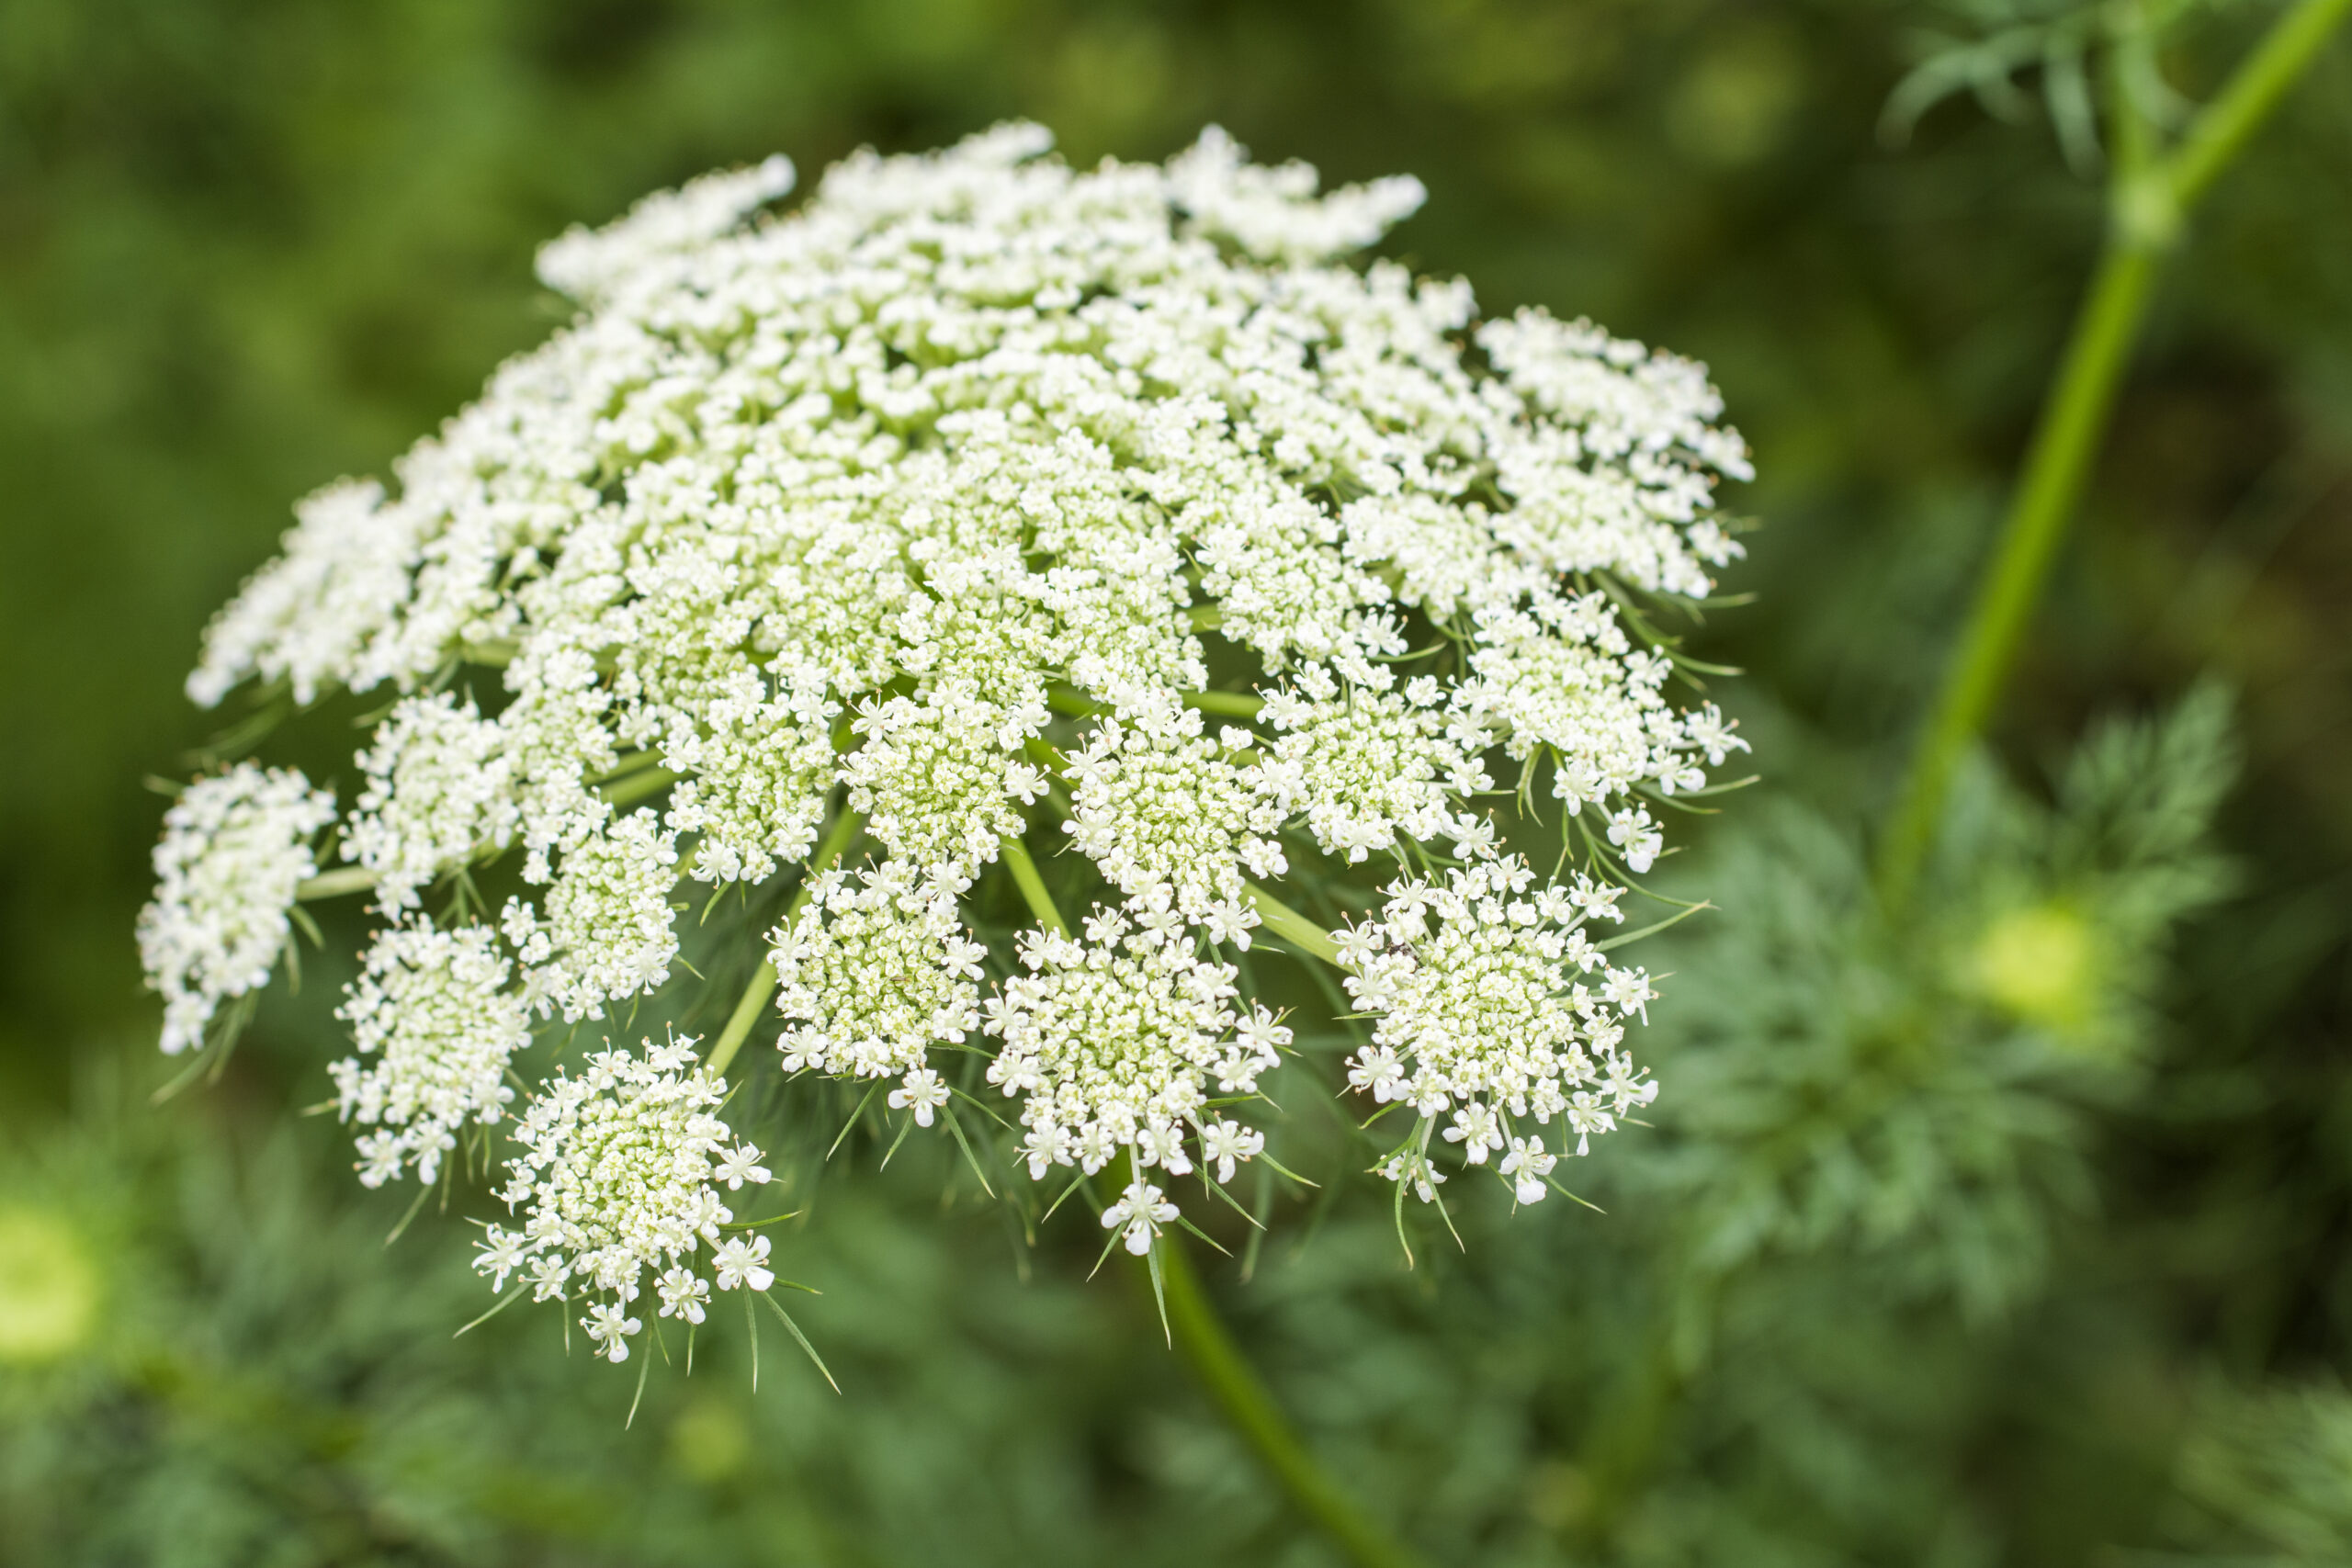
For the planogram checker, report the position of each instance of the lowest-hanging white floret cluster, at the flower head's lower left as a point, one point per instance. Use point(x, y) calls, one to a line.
point(620, 1177)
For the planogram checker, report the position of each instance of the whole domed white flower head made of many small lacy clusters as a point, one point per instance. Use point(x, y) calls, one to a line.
point(980, 502)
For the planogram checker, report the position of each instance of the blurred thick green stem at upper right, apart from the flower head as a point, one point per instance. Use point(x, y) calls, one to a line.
point(2149, 203)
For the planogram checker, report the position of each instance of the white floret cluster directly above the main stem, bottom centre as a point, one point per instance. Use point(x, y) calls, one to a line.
point(1111, 1045)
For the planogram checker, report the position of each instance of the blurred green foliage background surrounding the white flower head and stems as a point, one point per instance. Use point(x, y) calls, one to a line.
point(2057, 1278)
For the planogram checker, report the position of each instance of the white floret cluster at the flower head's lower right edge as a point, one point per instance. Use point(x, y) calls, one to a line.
point(1485, 1019)
